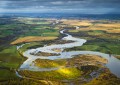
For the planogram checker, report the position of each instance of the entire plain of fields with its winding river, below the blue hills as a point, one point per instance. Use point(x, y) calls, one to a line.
point(46, 51)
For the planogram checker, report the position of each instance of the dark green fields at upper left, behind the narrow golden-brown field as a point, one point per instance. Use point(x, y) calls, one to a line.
point(42, 28)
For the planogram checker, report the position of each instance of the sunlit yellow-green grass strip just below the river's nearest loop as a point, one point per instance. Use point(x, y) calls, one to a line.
point(60, 74)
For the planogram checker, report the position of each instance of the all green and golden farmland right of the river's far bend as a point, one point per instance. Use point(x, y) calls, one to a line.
point(100, 37)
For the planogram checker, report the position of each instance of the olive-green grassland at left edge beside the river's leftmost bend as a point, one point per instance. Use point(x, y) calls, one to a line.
point(10, 59)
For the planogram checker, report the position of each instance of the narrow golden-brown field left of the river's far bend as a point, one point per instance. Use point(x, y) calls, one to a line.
point(31, 39)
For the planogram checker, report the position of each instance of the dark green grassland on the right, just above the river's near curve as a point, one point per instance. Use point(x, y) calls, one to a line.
point(100, 47)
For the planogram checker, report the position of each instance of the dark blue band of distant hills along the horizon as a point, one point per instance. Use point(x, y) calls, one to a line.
point(64, 15)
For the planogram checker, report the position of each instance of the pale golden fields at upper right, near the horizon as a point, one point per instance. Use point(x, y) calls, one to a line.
point(108, 26)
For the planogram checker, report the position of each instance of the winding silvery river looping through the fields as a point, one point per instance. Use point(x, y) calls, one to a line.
point(113, 63)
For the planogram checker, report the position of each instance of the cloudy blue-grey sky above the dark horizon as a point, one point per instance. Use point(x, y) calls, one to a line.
point(60, 6)
